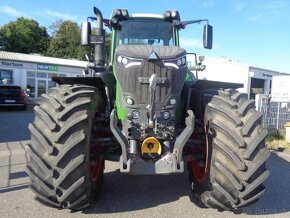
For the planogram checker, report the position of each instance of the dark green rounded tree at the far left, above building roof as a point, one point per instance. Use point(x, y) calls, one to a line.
point(24, 36)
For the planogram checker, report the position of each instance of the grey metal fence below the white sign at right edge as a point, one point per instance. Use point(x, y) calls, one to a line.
point(275, 114)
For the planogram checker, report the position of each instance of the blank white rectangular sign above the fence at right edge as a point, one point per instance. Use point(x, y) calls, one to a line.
point(280, 89)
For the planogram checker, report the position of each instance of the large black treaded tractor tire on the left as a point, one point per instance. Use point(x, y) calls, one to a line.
point(61, 168)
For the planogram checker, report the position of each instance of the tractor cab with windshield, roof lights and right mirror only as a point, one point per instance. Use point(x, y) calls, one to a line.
point(150, 29)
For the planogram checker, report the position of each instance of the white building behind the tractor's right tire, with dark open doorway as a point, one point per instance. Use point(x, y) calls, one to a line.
point(255, 80)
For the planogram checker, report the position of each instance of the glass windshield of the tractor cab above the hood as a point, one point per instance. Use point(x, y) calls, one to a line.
point(145, 32)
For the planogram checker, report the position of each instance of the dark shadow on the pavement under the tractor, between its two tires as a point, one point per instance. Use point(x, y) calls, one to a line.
point(122, 192)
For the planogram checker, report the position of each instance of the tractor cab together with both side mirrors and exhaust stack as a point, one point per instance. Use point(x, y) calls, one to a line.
point(138, 29)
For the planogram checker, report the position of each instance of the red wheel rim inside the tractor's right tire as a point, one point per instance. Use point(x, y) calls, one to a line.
point(198, 170)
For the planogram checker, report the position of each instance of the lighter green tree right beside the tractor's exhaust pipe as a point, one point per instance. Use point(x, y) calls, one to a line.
point(65, 41)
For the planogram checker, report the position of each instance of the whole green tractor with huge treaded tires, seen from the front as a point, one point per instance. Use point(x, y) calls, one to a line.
point(145, 110)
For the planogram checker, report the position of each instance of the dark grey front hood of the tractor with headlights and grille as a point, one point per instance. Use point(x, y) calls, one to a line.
point(149, 81)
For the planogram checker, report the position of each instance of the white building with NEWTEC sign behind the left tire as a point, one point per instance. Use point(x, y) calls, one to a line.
point(34, 72)
